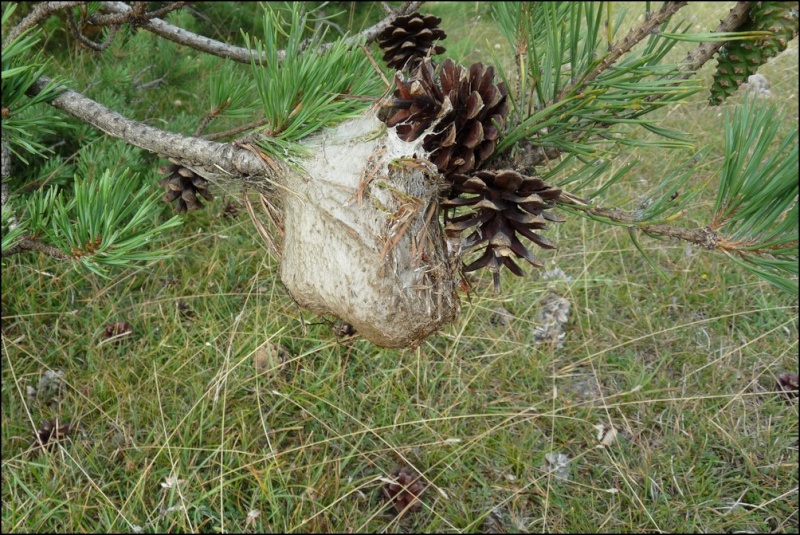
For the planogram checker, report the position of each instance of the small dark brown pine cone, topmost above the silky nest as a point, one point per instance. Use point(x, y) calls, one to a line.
point(410, 38)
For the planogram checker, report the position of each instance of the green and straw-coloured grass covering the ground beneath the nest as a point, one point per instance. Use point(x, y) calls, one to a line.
point(174, 430)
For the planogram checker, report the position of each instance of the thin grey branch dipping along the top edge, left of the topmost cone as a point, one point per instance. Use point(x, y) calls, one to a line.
point(236, 53)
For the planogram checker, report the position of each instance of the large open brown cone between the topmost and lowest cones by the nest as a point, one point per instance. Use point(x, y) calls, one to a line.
point(469, 106)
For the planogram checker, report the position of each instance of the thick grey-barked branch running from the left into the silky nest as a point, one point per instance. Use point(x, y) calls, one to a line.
point(220, 160)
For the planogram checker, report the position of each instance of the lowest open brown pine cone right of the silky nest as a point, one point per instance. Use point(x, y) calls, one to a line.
point(506, 203)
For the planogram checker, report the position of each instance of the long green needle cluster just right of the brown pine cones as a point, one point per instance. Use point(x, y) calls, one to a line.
point(558, 101)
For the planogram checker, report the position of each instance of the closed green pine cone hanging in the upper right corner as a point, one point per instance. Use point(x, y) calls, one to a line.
point(738, 60)
